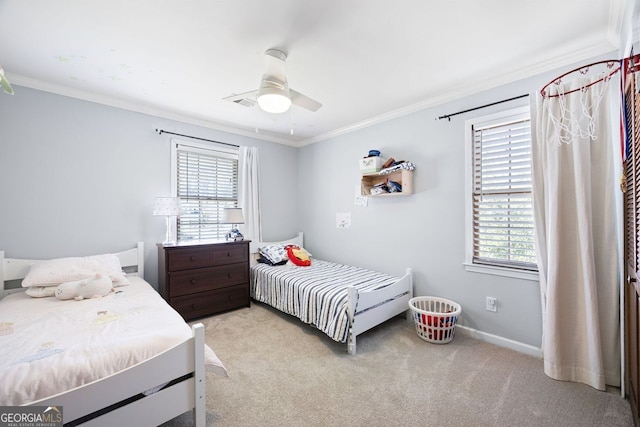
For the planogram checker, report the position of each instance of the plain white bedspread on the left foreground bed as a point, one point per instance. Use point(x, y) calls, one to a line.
point(48, 346)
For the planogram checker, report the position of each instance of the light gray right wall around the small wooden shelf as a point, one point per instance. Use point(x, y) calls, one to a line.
point(424, 231)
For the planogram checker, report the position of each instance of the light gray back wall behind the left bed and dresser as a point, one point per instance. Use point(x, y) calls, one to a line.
point(80, 178)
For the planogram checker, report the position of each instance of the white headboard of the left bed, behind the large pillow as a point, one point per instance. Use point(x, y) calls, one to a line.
point(16, 269)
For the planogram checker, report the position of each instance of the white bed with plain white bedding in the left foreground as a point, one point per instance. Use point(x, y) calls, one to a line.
point(124, 359)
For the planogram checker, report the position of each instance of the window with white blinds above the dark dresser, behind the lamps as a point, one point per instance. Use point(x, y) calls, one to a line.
point(206, 181)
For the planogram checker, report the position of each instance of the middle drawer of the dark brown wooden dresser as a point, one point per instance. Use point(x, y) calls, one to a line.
point(204, 279)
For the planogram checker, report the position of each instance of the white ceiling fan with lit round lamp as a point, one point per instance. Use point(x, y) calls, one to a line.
point(274, 94)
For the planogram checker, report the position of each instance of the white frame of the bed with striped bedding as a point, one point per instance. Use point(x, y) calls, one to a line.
point(370, 308)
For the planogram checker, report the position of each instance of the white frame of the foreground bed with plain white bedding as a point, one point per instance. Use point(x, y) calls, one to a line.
point(116, 398)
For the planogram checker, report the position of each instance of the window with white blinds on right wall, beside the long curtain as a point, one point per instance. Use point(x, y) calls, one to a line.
point(499, 198)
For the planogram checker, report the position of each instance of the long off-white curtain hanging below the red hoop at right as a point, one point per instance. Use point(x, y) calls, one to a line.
point(576, 210)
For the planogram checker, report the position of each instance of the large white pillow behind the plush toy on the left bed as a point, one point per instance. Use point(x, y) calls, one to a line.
point(60, 270)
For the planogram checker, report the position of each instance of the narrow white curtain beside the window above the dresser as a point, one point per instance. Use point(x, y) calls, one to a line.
point(249, 197)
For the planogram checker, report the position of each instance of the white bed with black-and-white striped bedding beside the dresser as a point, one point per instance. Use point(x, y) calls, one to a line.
point(342, 301)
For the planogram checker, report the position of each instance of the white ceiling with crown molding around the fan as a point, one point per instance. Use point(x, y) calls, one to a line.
point(364, 60)
